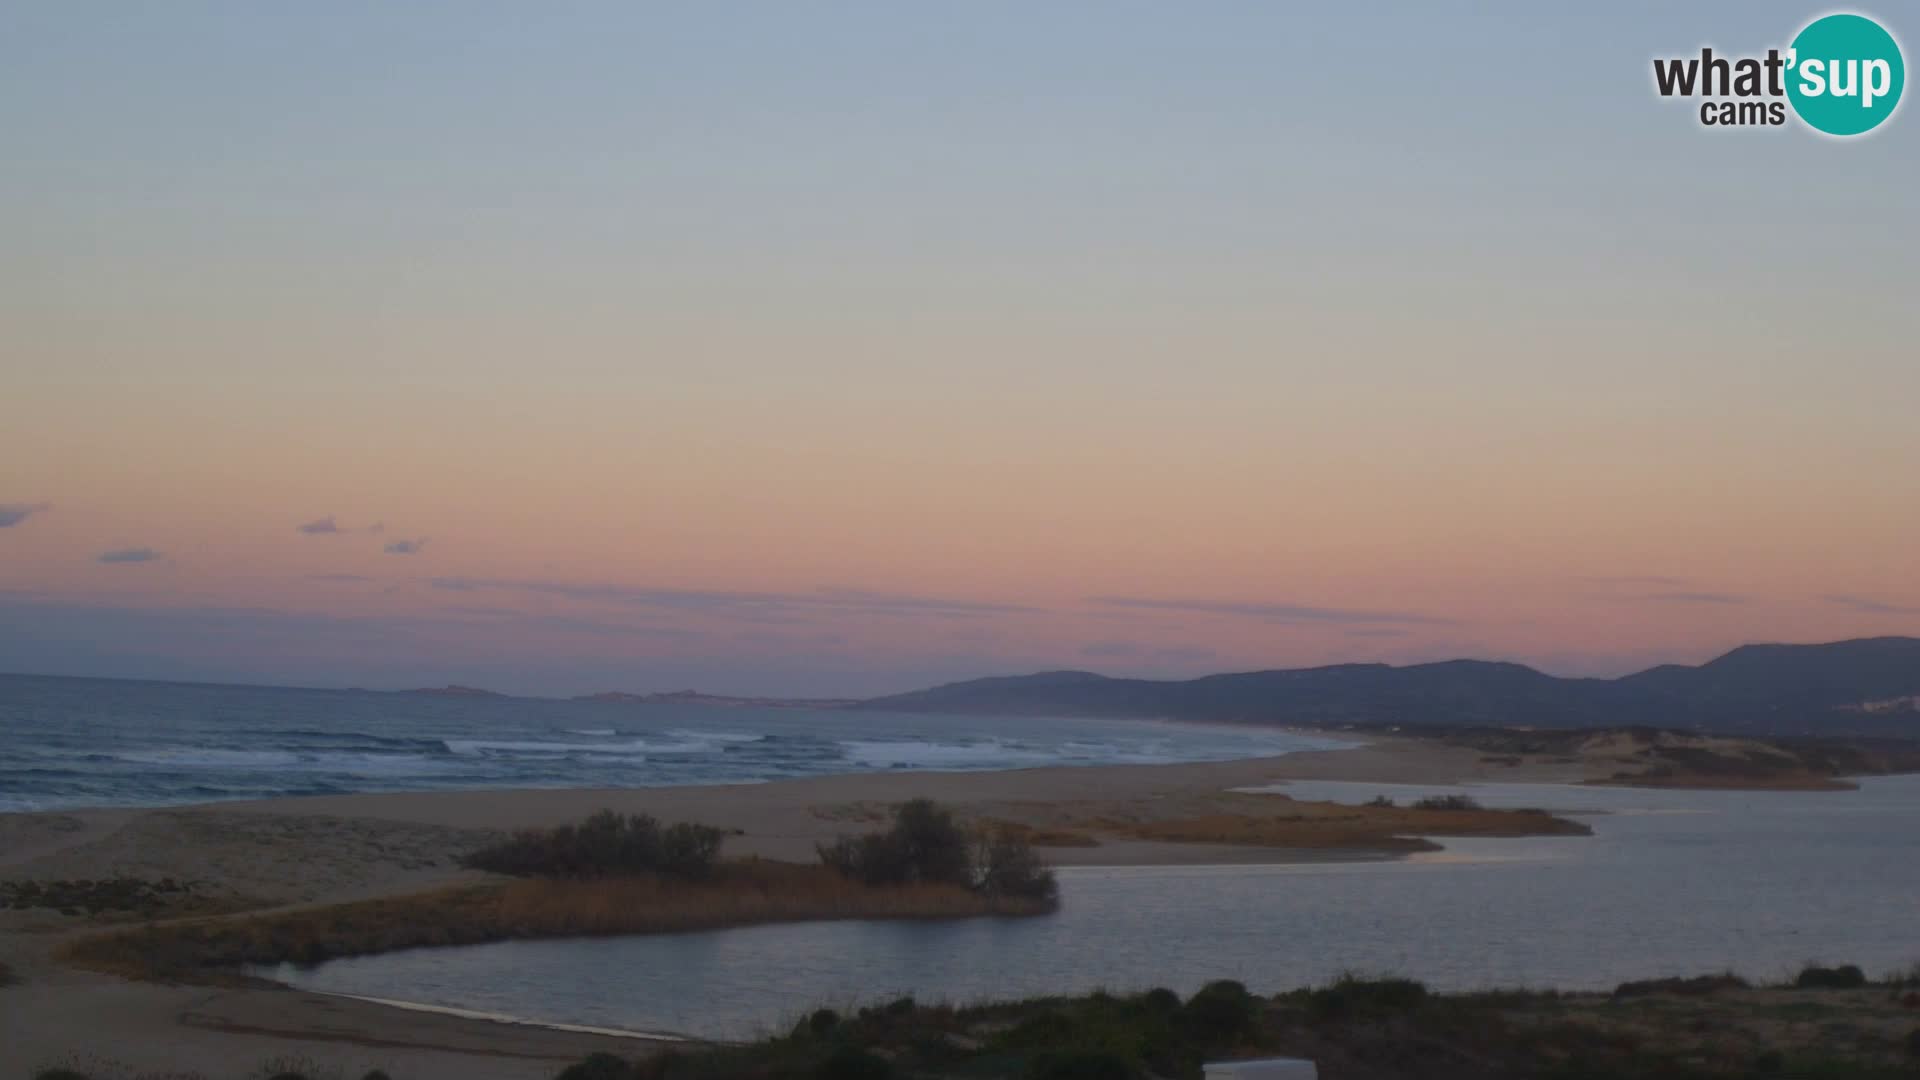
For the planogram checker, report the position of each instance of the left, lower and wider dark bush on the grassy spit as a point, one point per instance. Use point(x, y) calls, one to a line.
point(606, 845)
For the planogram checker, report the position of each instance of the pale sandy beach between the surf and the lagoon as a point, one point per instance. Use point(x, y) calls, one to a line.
point(327, 850)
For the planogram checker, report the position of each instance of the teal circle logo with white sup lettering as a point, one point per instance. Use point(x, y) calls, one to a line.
point(1846, 76)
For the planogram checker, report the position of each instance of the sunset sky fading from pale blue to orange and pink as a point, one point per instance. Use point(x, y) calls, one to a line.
point(844, 349)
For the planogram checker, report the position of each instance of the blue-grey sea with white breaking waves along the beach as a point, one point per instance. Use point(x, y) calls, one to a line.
point(78, 743)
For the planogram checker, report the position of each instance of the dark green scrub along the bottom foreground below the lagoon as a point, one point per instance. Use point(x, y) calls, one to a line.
point(1355, 1029)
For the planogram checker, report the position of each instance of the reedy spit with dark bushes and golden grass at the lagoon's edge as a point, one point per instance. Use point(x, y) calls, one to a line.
point(612, 875)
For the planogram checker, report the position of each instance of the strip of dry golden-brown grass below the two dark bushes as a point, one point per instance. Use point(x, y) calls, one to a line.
point(740, 895)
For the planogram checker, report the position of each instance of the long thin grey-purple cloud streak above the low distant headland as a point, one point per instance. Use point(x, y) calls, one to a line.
point(738, 602)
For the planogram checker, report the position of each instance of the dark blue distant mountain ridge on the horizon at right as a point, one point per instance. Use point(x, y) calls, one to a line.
point(1867, 687)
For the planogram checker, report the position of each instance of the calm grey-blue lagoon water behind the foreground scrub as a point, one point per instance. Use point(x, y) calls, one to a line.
point(1671, 883)
